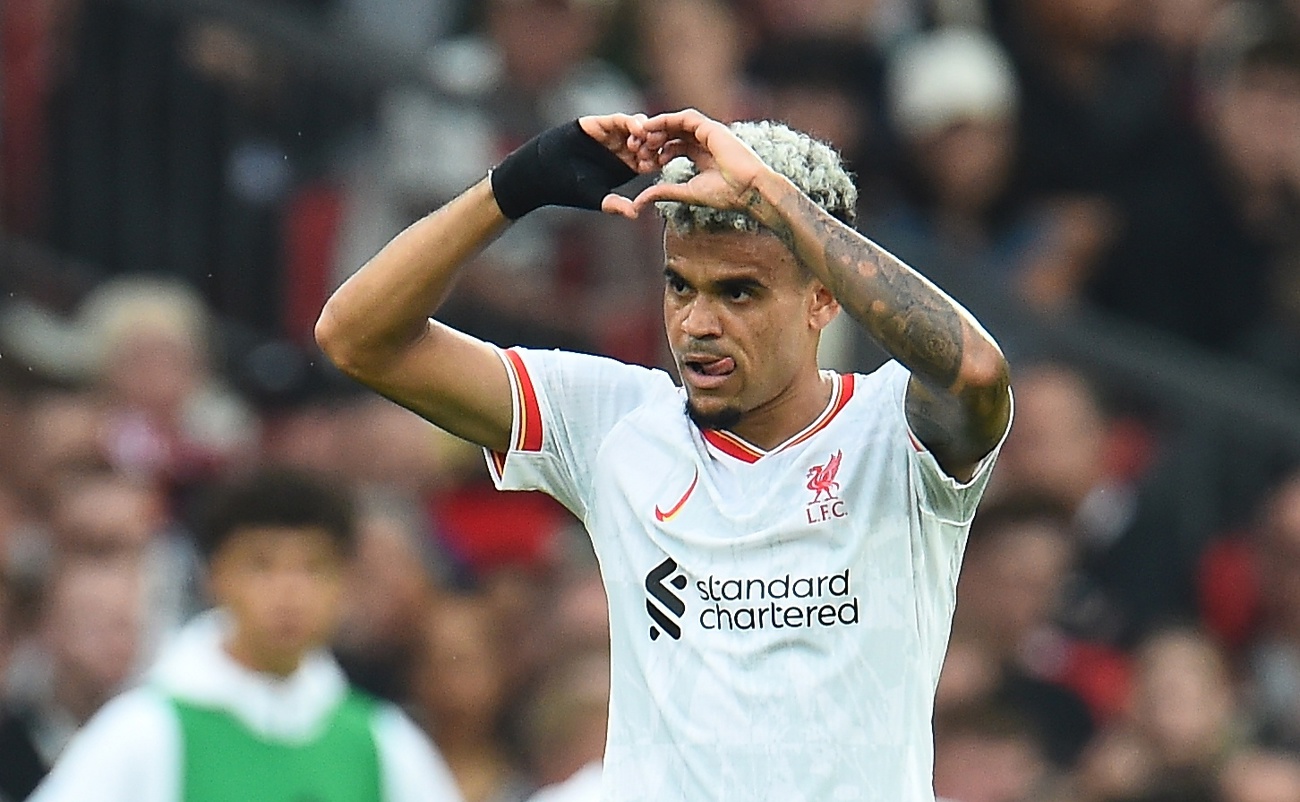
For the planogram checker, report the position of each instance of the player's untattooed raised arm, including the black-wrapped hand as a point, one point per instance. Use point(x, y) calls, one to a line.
point(376, 327)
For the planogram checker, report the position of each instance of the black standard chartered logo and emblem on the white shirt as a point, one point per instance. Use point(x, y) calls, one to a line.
point(747, 604)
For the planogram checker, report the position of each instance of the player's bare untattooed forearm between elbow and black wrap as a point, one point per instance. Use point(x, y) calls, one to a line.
point(387, 305)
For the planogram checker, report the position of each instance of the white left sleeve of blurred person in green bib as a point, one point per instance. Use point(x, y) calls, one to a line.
point(129, 752)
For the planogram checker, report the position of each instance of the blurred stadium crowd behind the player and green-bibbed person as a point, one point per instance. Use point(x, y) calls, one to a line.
point(1113, 187)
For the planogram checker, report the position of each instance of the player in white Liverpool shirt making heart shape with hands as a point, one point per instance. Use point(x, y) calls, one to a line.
point(779, 544)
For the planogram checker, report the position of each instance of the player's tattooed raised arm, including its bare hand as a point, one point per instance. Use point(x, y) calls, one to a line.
point(959, 398)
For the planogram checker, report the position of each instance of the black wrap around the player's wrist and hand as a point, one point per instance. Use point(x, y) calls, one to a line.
point(560, 167)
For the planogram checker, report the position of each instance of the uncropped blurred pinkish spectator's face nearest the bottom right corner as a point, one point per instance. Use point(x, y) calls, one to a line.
point(1184, 699)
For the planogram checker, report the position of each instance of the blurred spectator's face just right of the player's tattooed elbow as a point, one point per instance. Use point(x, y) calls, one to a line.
point(1058, 445)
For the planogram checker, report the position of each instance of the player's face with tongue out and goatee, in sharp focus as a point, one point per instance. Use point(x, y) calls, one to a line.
point(743, 320)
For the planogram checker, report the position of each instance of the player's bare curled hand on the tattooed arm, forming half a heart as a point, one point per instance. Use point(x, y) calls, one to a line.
point(729, 170)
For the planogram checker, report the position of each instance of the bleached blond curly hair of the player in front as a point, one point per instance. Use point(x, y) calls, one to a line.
point(814, 167)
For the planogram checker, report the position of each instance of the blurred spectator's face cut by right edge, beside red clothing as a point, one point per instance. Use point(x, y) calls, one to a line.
point(1280, 567)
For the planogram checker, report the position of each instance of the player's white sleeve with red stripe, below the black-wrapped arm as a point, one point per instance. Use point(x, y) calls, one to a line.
point(566, 405)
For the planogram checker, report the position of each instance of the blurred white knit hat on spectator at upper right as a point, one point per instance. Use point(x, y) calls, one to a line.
point(947, 77)
